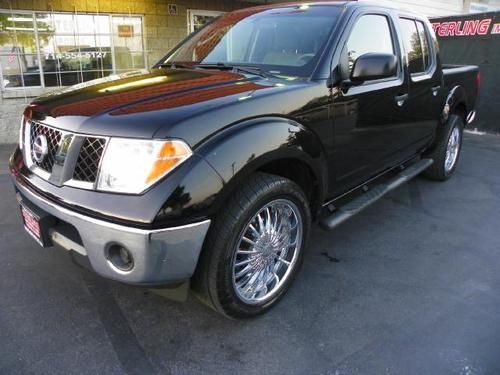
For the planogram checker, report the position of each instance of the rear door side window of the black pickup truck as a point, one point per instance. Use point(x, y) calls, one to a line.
point(418, 52)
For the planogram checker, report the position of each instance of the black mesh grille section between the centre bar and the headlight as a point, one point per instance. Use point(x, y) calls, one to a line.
point(87, 164)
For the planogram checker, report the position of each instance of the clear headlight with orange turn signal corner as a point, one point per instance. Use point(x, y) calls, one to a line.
point(133, 165)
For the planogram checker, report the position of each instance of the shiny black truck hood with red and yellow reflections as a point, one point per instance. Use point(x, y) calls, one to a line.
point(178, 103)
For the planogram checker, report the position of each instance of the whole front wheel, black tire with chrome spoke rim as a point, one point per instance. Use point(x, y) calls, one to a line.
point(255, 247)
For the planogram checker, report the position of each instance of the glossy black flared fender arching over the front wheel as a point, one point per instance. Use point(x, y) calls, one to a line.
point(241, 149)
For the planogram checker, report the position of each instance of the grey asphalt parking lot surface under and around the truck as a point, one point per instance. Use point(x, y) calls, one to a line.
point(409, 286)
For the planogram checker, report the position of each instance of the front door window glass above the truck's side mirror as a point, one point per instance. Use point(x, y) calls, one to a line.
point(370, 34)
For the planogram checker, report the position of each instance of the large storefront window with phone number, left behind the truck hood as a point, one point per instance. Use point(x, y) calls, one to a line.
point(60, 49)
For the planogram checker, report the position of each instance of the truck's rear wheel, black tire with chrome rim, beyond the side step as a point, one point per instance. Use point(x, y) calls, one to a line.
point(446, 153)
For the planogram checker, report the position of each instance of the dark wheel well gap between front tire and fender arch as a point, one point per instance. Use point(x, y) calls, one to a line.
point(300, 173)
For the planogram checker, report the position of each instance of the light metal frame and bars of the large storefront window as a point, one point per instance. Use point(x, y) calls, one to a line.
point(38, 53)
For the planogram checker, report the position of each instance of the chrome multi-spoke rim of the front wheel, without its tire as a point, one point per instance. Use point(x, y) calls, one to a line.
point(267, 251)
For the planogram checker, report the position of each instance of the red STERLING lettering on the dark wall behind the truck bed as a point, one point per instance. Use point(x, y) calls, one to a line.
point(467, 26)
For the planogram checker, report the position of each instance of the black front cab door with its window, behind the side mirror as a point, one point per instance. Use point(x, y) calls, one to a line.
point(367, 128)
